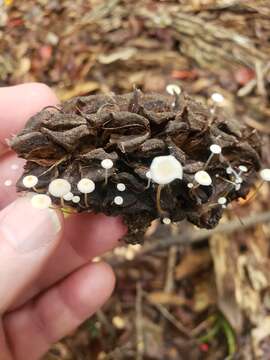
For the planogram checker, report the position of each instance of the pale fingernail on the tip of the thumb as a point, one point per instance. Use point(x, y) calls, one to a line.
point(27, 228)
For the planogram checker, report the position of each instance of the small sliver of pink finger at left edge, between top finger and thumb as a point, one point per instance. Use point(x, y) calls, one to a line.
point(10, 170)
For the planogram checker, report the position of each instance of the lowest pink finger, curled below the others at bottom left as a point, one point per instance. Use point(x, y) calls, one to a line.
point(34, 328)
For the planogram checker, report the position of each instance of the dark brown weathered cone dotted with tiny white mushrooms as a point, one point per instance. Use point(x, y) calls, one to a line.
point(212, 160)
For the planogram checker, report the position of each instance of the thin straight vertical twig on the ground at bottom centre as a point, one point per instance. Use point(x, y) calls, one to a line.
point(139, 324)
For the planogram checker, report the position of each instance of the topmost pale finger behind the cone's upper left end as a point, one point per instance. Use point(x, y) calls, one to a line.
point(18, 103)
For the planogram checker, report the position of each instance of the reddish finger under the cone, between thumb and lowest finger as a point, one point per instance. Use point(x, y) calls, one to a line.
point(85, 237)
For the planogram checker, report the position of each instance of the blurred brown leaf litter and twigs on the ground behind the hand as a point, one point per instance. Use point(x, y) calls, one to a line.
point(185, 294)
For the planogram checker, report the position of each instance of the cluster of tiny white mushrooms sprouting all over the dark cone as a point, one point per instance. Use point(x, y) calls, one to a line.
point(162, 171)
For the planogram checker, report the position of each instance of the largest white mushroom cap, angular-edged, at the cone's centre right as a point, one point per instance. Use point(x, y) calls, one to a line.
point(165, 169)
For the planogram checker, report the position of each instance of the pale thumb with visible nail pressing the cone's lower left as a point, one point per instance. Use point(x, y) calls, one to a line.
point(28, 236)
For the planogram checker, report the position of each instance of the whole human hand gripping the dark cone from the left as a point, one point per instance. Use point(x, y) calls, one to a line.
point(48, 285)
